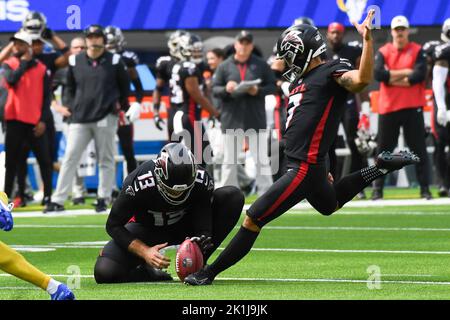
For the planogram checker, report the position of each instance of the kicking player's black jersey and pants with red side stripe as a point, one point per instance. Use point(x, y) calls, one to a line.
point(316, 106)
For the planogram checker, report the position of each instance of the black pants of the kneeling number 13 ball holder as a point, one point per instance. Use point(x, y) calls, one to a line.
point(116, 265)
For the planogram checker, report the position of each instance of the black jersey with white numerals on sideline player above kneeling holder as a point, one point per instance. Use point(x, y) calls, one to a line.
point(178, 93)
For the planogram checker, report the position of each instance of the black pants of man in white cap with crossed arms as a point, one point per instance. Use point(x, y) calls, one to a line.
point(411, 120)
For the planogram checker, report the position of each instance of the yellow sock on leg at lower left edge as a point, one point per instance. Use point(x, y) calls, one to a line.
point(14, 263)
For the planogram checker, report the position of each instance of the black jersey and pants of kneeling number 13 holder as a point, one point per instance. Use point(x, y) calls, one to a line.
point(140, 212)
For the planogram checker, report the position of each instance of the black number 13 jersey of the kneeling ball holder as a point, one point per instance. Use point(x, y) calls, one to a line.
point(141, 201)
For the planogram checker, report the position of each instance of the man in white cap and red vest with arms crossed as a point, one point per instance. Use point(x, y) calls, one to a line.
point(401, 67)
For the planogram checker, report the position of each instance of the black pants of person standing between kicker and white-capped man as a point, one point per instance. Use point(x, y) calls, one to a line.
point(350, 122)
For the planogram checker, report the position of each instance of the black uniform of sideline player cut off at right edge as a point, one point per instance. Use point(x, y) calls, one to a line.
point(440, 133)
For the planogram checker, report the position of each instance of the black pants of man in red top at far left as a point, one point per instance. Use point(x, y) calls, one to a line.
point(19, 140)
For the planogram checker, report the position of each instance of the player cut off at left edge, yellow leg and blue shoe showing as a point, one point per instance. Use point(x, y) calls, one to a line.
point(14, 263)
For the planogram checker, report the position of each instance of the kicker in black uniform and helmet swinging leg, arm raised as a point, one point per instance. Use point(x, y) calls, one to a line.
point(316, 103)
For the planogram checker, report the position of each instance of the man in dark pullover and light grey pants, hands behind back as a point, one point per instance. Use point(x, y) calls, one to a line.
point(99, 85)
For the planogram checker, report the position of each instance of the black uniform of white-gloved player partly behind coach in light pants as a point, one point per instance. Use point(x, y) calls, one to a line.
point(125, 130)
